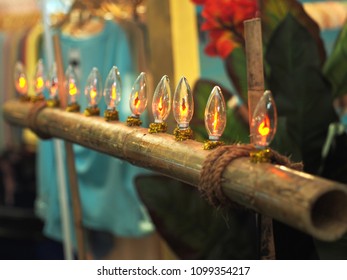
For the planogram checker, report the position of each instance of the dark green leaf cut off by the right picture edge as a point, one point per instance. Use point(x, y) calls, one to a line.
point(335, 67)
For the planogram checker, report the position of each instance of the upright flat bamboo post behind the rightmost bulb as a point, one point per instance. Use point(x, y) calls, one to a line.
point(255, 81)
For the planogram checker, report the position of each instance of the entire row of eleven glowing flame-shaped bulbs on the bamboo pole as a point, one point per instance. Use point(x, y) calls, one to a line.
point(263, 122)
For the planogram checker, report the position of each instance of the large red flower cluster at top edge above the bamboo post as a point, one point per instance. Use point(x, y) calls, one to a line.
point(224, 23)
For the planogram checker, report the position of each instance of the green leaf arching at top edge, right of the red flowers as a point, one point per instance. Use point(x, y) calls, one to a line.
point(273, 12)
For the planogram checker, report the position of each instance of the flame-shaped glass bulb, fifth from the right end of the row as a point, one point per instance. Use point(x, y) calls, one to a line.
point(138, 96)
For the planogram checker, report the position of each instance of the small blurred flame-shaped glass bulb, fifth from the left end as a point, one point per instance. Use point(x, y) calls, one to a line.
point(93, 89)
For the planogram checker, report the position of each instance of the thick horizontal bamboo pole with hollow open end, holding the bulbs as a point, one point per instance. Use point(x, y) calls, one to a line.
point(314, 205)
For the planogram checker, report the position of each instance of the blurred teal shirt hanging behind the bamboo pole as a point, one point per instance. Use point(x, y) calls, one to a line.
point(108, 196)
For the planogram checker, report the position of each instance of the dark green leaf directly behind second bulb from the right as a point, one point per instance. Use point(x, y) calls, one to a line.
point(236, 130)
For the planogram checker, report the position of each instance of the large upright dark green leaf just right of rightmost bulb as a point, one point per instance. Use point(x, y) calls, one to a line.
point(302, 94)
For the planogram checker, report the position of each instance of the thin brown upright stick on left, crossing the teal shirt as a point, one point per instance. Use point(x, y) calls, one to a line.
point(70, 158)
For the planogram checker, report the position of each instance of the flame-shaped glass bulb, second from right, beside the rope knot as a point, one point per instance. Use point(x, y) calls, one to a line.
point(215, 114)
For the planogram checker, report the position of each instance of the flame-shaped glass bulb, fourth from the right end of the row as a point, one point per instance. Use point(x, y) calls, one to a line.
point(161, 104)
